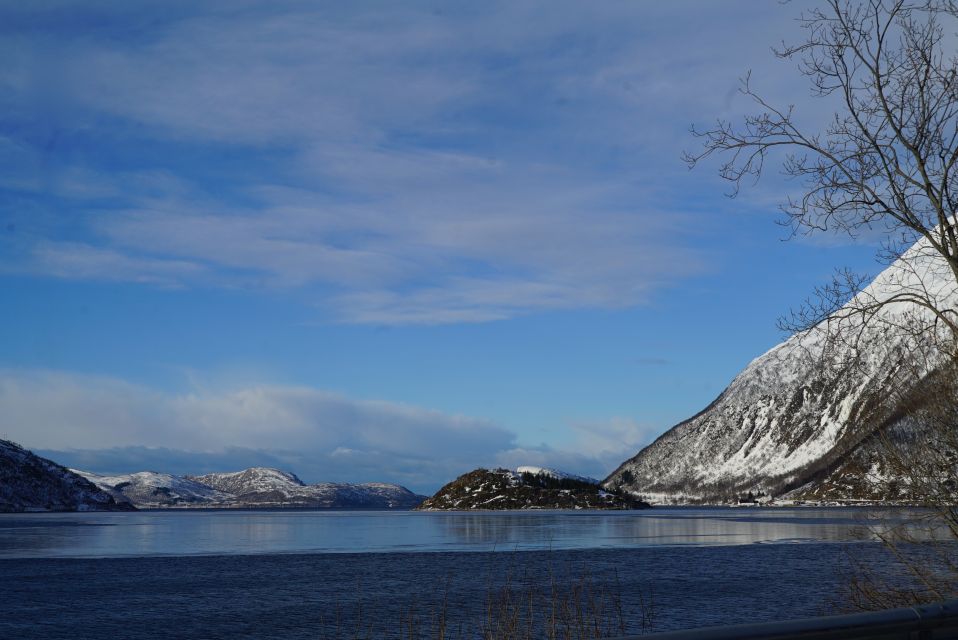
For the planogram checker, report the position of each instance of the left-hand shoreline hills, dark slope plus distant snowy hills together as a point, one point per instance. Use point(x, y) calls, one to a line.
point(31, 483)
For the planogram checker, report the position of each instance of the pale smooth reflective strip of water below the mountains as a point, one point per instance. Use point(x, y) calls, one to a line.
point(255, 532)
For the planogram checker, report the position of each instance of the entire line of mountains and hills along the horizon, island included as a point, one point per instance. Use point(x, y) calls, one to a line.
point(791, 426)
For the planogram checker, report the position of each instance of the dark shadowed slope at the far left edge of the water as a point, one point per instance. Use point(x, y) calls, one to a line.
point(31, 483)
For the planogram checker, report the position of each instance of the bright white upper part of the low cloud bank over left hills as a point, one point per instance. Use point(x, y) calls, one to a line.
point(58, 409)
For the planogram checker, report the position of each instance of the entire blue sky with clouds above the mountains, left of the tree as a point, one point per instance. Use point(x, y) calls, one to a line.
point(382, 241)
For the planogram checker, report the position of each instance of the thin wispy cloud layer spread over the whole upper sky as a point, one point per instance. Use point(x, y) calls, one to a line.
point(399, 165)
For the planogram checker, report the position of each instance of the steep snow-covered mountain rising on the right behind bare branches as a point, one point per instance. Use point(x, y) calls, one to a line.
point(802, 411)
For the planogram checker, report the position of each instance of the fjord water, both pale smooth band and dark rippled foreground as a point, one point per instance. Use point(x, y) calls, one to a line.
point(283, 574)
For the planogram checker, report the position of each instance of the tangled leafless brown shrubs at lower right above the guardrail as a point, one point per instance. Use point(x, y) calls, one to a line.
point(914, 460)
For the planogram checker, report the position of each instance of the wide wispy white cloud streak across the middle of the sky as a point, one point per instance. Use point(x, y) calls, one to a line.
point(459, 252)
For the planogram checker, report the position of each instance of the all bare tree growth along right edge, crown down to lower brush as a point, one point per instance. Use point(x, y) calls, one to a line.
point(884, 164)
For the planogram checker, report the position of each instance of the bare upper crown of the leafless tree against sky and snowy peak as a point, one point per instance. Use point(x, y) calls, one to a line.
point(885, 162)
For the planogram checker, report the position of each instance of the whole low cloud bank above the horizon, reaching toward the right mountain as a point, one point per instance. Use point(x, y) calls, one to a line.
point(110, 425)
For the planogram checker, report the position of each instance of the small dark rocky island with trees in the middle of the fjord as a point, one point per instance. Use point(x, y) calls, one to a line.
point(500, 489)
